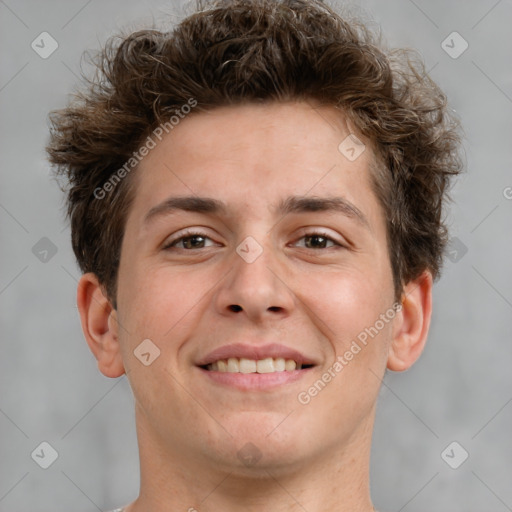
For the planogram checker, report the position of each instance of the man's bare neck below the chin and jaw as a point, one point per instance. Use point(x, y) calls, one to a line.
point(331, 481)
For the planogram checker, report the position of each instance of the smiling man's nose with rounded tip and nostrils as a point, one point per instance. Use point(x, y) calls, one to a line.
point(257, 290)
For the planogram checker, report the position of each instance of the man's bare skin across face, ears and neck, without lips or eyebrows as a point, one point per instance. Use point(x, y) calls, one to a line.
point(315, 298)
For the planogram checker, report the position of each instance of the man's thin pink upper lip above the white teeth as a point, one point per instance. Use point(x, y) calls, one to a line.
point(256, 352)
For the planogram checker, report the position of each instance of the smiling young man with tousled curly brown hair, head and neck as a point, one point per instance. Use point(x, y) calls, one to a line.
point(256, 205)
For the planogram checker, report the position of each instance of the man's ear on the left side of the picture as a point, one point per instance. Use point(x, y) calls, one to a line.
point(99, 324)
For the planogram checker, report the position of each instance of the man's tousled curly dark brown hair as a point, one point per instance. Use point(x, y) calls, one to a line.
point(230, 52)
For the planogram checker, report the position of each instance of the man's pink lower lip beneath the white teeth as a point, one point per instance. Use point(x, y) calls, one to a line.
point(256, 381)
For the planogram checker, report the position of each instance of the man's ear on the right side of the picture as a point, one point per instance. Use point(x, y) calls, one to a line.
point(411, 324)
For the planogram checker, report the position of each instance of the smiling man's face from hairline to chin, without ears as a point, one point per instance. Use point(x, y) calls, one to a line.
point(252, 236)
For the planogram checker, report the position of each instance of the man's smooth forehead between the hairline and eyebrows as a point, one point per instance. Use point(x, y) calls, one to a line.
point(255, 155)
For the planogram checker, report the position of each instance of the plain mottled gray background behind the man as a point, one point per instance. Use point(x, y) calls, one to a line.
point(460, 390)
